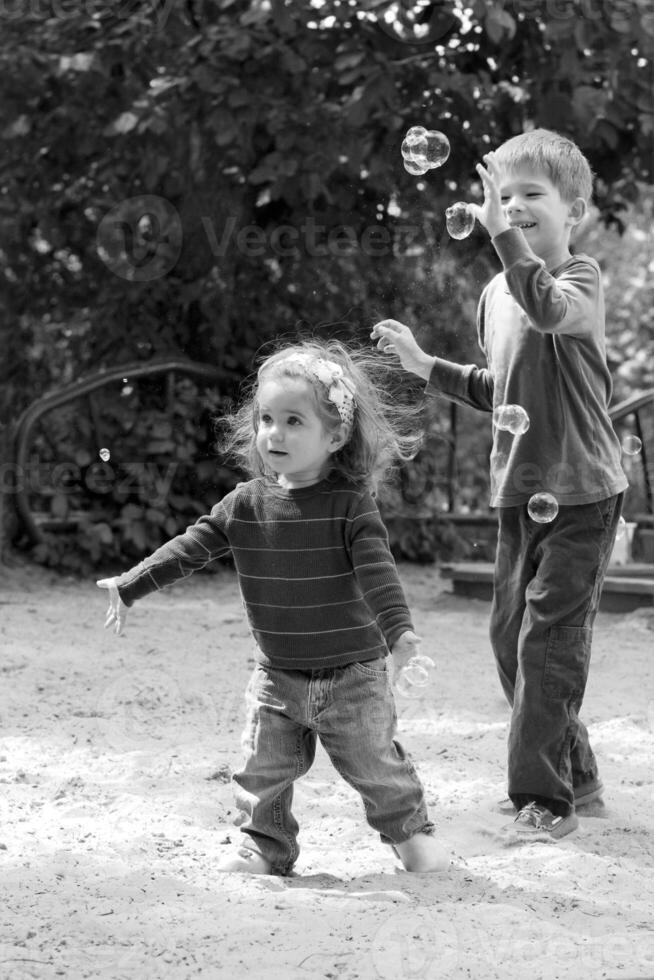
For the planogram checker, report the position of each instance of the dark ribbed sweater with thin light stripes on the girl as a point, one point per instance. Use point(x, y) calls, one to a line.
point(316, 574)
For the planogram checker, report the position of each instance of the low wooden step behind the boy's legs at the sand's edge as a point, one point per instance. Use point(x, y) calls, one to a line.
point(626, 587)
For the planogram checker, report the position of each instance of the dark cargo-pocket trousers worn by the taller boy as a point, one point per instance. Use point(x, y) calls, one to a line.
point(548, 579)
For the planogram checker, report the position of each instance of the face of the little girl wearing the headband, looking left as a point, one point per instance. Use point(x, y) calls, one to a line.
point(291, 438)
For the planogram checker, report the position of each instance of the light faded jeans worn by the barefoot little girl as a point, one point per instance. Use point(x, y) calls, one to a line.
point(352, 711)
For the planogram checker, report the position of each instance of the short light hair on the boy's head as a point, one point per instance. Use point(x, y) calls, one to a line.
point(554, 155)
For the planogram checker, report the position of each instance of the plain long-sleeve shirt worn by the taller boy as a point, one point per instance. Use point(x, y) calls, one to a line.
point(543, 337)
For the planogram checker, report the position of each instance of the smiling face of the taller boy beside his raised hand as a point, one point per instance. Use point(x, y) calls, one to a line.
point(534, 204)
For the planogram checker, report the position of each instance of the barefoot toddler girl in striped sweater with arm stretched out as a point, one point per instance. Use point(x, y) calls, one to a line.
point(322, 595)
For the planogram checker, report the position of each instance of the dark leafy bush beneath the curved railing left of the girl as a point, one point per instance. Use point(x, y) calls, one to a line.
point(158, 474)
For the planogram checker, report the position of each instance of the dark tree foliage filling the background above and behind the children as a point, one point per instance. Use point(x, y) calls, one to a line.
point(200, 178)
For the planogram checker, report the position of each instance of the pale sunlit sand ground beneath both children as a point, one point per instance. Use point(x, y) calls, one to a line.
point(115, 762)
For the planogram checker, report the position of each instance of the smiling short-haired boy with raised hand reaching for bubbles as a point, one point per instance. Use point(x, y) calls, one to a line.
point(541, 327)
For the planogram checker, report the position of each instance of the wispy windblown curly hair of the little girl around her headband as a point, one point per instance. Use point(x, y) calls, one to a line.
point(386, 428)
